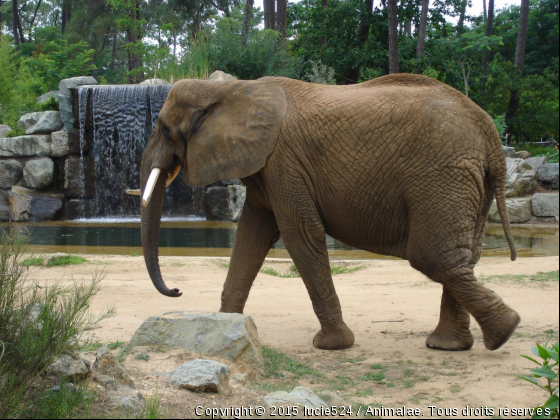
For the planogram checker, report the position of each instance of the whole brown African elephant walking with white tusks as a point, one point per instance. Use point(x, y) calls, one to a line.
point(402, 165)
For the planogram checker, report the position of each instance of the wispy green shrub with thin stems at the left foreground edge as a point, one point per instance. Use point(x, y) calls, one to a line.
point(37, 324)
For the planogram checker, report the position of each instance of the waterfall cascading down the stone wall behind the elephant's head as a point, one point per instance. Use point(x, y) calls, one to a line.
point(122, 119)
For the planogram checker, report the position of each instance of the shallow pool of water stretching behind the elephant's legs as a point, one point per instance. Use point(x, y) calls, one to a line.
point(202, 238)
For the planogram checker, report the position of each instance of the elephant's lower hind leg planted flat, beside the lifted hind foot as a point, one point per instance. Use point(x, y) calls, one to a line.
point(453, 331)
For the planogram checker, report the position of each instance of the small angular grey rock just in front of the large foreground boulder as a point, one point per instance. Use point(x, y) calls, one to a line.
point(201, 376)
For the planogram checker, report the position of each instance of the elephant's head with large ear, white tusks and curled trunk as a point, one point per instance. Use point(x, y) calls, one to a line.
point(213, 130)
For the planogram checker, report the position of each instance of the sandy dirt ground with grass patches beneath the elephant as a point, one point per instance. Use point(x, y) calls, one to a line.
point(390, 307)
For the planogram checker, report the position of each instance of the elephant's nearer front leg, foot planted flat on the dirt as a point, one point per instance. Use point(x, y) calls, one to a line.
point(304, 237)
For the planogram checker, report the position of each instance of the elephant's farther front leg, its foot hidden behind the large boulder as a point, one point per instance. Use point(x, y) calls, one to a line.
point(256, 232)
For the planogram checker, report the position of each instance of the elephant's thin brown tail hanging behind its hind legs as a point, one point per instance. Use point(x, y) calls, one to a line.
point(498, 175)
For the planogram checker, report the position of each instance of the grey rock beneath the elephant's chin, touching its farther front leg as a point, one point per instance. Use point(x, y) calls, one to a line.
point(224, 203)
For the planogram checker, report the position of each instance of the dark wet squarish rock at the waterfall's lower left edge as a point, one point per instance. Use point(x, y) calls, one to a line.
point(79, 177)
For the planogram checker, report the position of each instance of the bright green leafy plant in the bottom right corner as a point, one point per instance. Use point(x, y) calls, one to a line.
point(545, 377)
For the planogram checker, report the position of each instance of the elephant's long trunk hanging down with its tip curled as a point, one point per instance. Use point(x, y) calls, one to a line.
point(151, 218)
